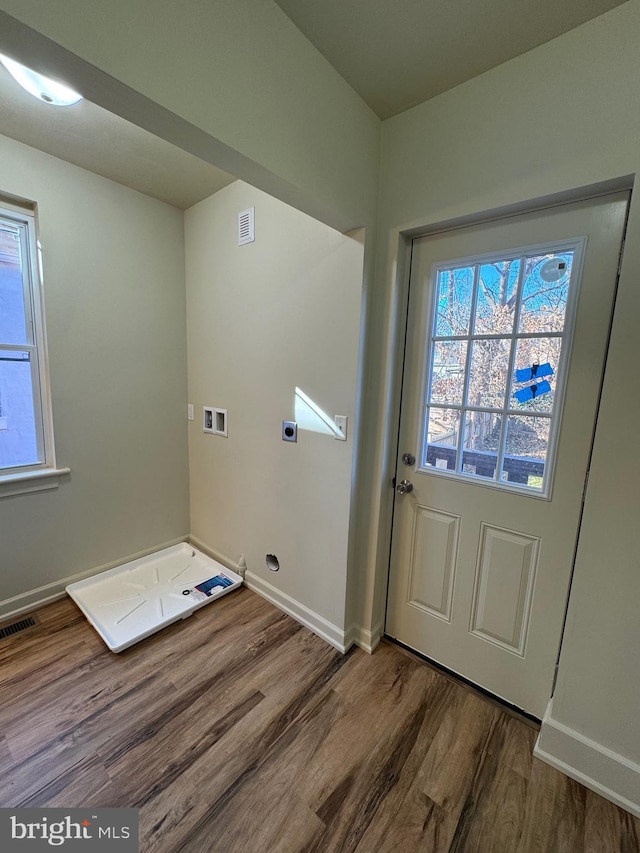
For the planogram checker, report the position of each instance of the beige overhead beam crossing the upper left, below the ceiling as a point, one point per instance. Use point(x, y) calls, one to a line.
point(234, 81)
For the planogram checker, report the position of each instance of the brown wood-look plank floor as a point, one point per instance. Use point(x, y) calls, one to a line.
point(239, 731)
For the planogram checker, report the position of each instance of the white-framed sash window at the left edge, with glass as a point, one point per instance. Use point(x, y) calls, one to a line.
point(26, 430)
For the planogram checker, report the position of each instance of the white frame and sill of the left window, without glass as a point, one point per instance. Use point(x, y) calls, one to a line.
point(43, 474)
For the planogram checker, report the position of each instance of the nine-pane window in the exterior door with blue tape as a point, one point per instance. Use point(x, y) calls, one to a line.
point(498, 352)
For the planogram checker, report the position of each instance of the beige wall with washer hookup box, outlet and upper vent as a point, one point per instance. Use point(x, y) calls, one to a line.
point(264, 318)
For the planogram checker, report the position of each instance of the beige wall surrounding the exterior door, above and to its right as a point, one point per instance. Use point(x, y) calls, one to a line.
point(562, 116)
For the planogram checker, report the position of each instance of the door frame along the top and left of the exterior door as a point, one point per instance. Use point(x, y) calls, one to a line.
point(401, 240)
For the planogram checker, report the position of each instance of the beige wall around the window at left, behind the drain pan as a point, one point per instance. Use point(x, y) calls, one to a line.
point(115, 312)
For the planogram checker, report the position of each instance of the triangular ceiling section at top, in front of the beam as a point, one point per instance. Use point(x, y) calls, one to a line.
point(398, 53)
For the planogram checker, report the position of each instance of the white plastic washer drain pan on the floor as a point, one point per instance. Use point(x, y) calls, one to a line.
point(133, 601)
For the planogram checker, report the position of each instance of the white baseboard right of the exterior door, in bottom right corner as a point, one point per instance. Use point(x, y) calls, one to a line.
point(611, 775)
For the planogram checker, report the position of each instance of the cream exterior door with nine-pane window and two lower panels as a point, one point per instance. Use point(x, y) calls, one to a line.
point(506, 341)
